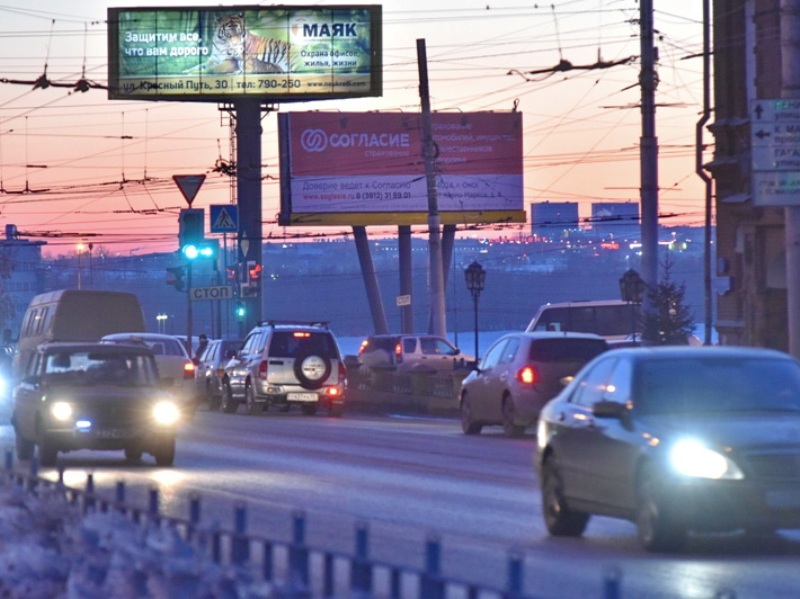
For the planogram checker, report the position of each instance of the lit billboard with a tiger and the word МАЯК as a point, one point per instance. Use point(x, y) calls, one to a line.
point(277, 53)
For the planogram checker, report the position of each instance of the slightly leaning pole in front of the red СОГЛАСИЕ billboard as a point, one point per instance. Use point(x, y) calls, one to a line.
point(436, 266)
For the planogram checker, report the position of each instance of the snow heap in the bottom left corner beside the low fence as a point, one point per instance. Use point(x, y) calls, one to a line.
point(50, 550)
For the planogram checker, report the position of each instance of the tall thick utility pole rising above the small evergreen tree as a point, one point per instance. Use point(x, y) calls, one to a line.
point(648, 149)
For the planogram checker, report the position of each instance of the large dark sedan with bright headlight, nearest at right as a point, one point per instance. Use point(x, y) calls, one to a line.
point(675, 439)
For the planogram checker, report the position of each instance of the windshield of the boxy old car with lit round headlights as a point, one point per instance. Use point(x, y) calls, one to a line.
point(95, 368)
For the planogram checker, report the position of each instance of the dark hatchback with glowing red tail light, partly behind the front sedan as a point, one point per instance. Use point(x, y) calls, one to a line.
point(518, 375)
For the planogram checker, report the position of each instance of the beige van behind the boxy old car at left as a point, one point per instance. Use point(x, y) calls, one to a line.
point(75, 315)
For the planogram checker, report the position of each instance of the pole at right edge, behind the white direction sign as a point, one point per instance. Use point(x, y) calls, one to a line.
point(790, 89)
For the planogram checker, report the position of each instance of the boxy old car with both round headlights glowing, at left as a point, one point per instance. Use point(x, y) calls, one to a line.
point(94, 396)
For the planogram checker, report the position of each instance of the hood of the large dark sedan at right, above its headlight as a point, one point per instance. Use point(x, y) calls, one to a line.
point(741, 429)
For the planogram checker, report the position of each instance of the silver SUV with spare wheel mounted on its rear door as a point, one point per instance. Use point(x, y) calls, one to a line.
point(284, 364)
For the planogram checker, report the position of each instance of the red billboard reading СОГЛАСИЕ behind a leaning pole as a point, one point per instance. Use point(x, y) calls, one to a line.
point(368, 168)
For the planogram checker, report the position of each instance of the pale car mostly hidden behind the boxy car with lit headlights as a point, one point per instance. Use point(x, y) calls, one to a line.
point(175, 367)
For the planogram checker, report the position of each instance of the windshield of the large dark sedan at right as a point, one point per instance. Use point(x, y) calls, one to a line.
point(696, 386)
